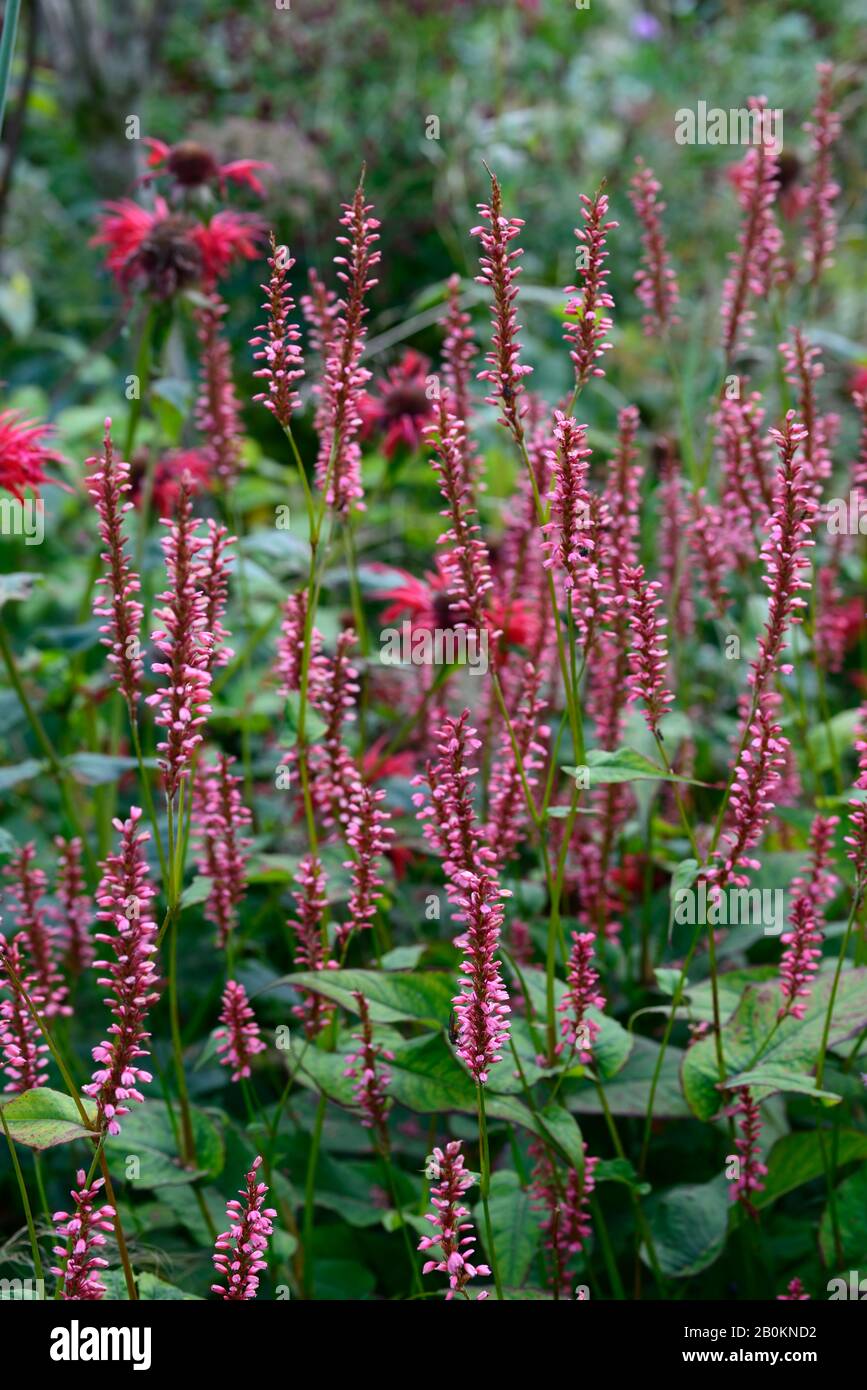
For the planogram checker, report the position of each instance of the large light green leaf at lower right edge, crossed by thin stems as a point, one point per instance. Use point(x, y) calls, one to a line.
point(794, 1047)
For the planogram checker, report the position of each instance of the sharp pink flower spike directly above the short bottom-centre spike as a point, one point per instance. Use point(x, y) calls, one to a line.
point(483, 1004)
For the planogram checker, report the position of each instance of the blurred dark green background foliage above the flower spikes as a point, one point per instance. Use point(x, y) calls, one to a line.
point(552, 97)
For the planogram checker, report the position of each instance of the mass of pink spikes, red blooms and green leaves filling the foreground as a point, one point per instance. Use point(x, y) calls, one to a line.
point(449, 826)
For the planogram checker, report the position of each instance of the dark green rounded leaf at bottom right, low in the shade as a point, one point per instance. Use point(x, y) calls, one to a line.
point(688, 1227)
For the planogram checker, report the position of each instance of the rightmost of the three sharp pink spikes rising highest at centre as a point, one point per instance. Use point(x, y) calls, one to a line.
point(593, 300)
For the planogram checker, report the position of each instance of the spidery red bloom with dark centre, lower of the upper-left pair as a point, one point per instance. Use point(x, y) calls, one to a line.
point(165, 252)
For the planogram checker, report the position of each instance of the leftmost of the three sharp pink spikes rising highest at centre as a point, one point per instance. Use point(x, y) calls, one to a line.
point(340, 461)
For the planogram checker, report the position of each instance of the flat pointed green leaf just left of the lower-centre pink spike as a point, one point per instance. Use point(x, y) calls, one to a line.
point(393, 999)
